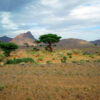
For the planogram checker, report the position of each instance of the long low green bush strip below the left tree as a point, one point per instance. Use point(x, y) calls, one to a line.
point(17, 61)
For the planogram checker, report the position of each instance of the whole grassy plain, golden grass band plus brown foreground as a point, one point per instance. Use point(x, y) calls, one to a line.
point(57, 81)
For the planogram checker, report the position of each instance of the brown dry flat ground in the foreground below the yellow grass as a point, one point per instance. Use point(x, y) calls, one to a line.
point(50, 82)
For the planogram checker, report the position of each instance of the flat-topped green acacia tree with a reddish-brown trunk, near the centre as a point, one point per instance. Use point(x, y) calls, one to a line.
point(49, 39)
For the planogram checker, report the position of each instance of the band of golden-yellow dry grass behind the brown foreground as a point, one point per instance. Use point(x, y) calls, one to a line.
point(43, 56)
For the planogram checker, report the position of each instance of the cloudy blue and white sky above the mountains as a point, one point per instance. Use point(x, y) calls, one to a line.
point(66, 18)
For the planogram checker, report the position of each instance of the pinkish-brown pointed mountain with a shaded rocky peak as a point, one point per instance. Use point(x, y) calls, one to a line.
point(24, 38)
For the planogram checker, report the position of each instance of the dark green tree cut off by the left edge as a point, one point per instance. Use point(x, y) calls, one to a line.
point(8, 48)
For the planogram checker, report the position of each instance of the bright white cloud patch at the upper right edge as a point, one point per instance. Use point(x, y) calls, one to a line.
point(86, 12)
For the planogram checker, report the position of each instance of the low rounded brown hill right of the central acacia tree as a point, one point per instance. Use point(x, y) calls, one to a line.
point(74, 43)
